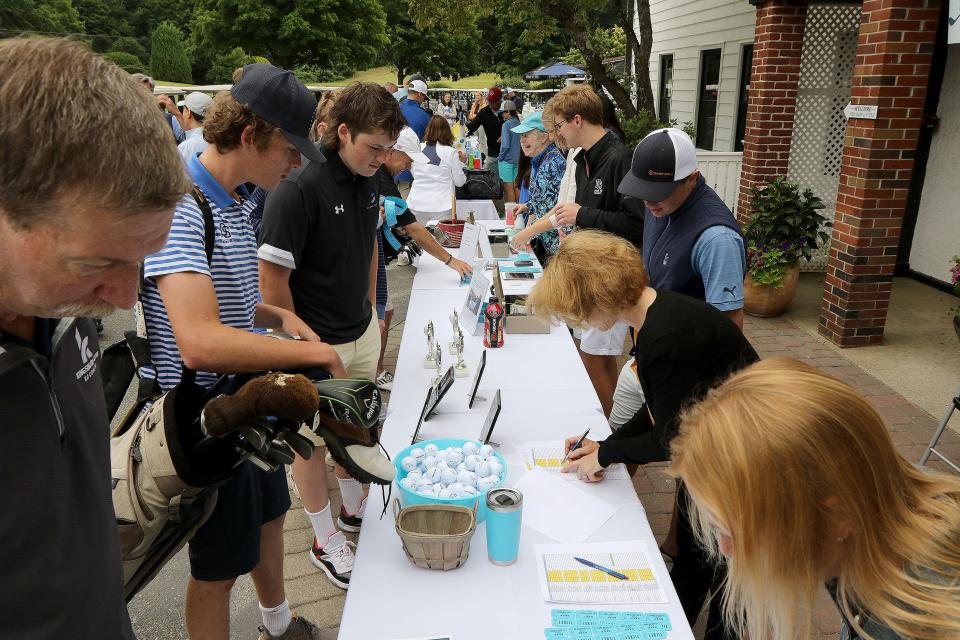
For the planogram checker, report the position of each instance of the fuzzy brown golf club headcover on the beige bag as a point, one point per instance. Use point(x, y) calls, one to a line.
point(285, 396)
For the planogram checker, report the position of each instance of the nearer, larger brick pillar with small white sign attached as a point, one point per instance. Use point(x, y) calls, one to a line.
point(894, 51)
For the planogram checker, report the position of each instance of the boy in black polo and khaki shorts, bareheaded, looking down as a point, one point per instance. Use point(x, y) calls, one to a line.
point(318, 258)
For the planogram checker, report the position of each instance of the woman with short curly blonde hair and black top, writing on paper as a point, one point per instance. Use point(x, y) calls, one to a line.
point(684, 346)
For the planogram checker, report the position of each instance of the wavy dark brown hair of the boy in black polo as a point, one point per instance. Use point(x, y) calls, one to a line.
point(364, 107)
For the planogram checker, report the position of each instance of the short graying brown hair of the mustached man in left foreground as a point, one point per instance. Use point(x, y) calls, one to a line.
point(119, 157)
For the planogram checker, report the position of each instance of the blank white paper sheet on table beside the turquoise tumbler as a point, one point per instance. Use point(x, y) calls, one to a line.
point(560, 509)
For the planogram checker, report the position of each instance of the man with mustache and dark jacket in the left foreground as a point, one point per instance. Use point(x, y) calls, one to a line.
point(72, 237)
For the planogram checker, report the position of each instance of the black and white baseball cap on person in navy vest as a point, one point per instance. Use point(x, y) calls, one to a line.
point(661, 162)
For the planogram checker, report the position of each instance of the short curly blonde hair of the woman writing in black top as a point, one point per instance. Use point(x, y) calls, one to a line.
point(593, 274)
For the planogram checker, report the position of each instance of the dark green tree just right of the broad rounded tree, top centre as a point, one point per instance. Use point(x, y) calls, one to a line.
point(432, 52)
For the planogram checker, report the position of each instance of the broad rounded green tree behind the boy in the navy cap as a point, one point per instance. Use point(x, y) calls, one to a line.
point(334, 34)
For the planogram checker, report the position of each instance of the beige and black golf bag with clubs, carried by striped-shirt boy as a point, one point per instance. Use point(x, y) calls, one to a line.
point(169, 460)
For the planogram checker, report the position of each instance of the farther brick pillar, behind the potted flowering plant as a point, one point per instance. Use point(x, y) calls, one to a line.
point(772, 99)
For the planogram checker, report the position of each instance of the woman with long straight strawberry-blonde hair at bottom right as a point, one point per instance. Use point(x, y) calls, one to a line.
point(795, 480)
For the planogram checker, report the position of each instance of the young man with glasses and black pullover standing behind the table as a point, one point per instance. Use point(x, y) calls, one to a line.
point(578, 115)
